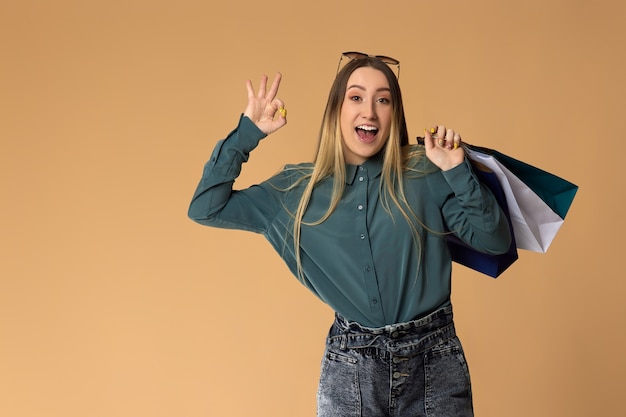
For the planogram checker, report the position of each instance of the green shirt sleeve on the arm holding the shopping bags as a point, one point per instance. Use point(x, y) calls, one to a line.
point(472, 213)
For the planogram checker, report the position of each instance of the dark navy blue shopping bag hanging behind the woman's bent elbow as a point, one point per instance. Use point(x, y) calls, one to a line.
point(492, 265)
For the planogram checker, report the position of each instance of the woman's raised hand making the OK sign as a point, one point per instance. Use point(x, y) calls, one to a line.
point(263, 106)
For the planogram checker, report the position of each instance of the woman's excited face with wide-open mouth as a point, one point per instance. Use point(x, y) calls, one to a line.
point(365, 115)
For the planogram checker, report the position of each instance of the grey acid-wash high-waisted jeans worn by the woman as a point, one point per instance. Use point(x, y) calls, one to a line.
point(413, 369)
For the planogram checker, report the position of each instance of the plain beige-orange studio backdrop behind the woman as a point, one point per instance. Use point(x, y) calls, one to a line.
point(113, 303)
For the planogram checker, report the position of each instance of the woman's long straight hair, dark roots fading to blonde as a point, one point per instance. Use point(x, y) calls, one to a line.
point(329, 160)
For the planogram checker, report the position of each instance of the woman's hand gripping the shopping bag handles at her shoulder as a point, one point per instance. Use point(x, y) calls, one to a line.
point(443, 147)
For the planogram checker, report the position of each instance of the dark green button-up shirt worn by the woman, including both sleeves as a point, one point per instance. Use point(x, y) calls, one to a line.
point(362, 261)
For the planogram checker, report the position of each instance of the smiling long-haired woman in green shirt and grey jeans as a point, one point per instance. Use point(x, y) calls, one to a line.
point(364, 227)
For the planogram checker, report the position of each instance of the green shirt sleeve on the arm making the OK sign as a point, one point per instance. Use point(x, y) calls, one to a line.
point(216, 204)
